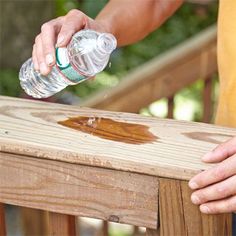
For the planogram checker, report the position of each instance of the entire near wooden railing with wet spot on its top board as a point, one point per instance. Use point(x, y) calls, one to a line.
point(118, 167)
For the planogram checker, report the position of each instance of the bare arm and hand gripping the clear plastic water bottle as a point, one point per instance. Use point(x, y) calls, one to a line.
point(128, 20)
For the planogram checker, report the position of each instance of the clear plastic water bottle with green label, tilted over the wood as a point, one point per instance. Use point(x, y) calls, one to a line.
point(86, 55)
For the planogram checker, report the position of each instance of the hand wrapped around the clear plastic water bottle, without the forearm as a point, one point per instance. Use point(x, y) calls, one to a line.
point(58, 32)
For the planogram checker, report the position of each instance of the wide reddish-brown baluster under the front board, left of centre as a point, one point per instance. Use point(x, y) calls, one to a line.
point(61, 225)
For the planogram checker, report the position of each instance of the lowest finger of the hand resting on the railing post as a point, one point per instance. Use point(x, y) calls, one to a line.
point(227, 205)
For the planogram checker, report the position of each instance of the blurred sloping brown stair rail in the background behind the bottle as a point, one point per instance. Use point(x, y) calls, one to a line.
point(162, 76)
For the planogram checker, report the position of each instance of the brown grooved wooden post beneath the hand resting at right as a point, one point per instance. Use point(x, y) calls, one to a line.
point(179, 217)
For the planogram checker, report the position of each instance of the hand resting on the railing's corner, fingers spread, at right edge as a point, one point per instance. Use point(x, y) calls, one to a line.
point(215, 189)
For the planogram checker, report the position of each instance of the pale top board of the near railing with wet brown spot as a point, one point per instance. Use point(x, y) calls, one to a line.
point(173, 150)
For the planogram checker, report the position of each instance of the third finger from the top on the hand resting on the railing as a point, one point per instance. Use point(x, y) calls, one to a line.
point(217, 191)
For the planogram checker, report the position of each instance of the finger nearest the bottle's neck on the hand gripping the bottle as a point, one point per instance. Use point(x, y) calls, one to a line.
point(74, 21)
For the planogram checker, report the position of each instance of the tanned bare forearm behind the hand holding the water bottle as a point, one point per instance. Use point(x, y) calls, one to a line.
point(131, 22)
